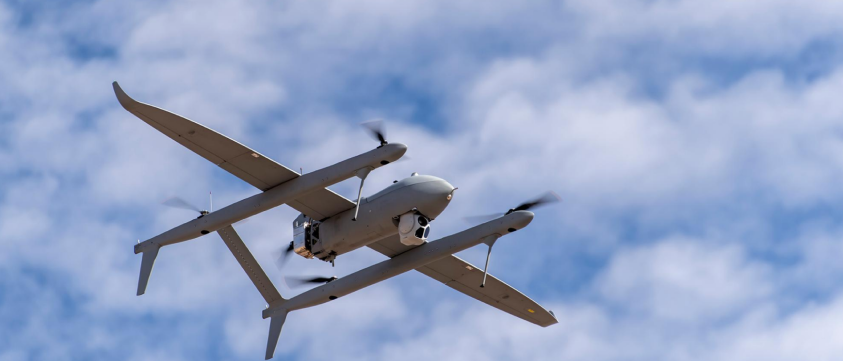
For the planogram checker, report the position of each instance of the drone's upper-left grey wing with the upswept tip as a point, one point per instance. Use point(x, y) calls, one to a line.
point(241, 161)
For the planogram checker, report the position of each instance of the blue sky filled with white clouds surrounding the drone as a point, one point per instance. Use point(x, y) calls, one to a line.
point(697, 147)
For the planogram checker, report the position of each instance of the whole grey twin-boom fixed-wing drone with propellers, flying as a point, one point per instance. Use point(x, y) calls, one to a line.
point(394, 222)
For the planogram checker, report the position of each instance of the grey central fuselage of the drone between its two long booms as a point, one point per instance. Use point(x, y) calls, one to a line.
point(378, 217)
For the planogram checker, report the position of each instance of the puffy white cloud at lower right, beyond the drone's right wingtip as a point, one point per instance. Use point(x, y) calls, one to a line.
point(685, 281)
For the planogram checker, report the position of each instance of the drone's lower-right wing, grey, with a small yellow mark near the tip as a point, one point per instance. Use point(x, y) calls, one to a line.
point(466, 278)
